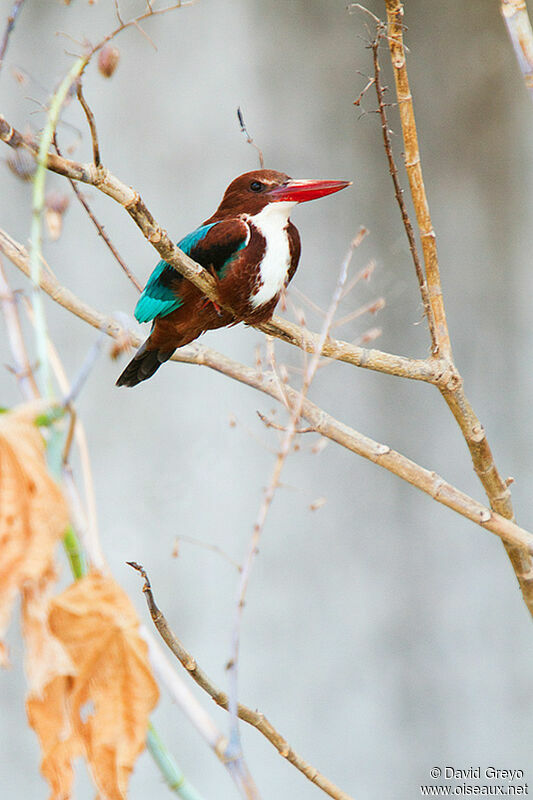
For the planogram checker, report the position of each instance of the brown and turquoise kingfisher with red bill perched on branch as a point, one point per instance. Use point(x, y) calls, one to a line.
point(251, 248)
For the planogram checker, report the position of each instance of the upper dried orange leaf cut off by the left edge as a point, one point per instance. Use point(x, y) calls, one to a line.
point(33, 512)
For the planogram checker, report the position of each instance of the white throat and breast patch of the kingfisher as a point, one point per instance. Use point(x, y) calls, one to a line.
point(271, 222)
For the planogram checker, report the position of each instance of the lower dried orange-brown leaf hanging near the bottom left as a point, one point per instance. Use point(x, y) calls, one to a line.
point(112, 693)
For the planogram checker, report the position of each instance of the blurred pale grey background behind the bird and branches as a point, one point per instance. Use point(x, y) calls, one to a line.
point(383, 635)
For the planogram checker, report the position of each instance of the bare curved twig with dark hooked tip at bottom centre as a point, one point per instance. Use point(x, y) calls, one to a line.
point(254, 718)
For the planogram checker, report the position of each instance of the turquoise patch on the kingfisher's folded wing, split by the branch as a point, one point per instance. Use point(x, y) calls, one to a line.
point(157, 298)
